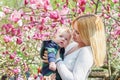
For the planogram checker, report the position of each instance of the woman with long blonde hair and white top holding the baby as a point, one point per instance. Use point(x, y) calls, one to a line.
point(87, 49)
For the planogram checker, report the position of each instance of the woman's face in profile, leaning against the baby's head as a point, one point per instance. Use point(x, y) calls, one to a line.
point(76, 36)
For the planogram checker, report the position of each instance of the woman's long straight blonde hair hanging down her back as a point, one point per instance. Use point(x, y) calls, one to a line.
point(91, 31)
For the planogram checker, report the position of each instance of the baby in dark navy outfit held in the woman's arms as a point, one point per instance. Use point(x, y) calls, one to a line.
point(59, 42)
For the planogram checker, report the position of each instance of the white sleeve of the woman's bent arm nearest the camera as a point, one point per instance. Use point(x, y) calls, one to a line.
point(81, 68)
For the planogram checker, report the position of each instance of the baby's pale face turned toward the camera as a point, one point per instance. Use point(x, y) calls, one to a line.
point(63, 39)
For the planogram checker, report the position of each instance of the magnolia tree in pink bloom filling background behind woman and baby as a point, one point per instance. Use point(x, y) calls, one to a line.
point(25, 23)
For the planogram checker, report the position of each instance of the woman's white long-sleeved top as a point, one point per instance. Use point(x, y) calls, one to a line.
point(76, 65)
